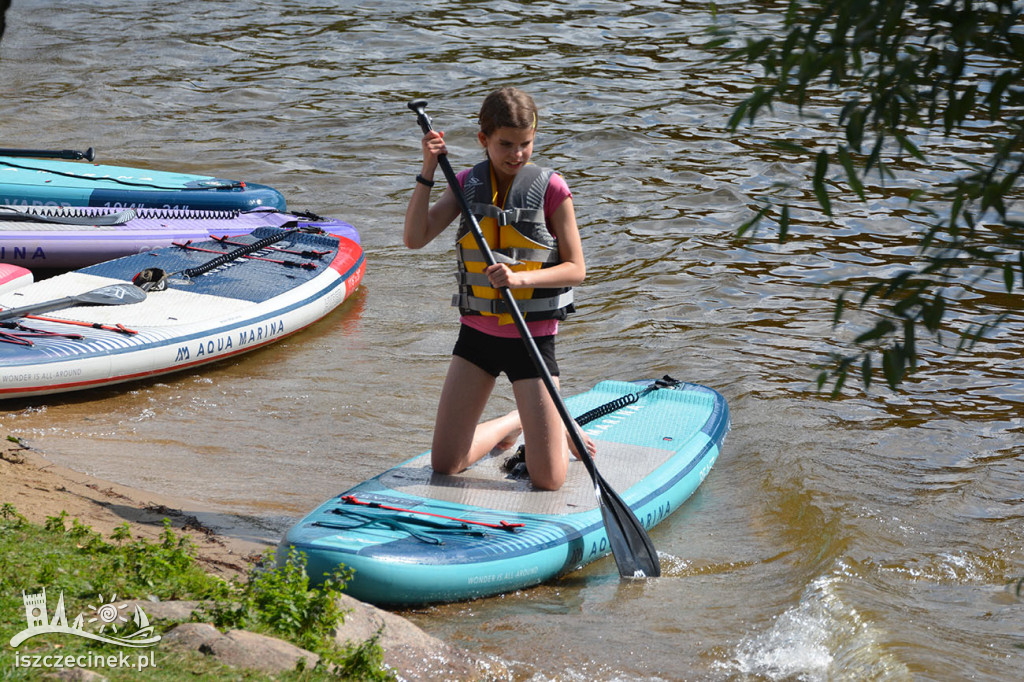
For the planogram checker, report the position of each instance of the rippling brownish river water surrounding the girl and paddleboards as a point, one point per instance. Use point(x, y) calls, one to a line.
point(872, 537)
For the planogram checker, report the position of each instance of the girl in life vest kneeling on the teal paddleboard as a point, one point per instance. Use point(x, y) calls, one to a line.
point(527, 216)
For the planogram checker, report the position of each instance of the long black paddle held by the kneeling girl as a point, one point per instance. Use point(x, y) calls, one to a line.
point(631, 546)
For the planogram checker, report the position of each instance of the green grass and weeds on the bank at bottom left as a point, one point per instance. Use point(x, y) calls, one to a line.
point(91, 570)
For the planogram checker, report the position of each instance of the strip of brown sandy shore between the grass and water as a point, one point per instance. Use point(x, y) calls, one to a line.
point(38, 489)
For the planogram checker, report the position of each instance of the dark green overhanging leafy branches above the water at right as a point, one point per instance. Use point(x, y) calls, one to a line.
point(905, 72)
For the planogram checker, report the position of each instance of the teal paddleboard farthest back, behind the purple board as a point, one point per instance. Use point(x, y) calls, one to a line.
point(27, 182)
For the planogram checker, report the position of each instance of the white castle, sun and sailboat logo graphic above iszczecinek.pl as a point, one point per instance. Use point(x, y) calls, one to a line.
point(106, 615)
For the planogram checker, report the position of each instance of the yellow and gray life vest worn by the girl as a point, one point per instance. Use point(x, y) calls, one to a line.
point(519, 237)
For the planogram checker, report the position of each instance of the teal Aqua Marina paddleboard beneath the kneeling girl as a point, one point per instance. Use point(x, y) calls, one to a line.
point(414, 537)
